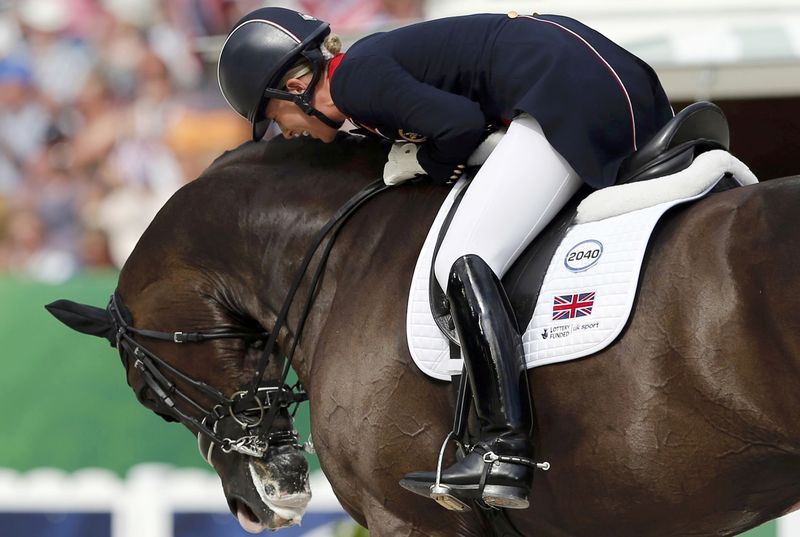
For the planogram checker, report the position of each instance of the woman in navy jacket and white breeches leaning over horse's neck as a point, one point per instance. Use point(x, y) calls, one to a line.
point(575, 105)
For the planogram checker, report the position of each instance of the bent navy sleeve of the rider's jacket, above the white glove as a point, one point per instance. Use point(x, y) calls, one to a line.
point(377, 90)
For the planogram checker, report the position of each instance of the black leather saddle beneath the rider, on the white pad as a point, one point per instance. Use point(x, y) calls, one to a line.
point(698, 128)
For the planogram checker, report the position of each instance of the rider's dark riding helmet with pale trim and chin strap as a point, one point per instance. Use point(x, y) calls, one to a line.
point(259, 51)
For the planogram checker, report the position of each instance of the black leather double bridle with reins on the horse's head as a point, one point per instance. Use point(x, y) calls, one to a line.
point(253, 409)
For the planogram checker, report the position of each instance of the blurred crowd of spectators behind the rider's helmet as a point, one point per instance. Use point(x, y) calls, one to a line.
point(107, 107)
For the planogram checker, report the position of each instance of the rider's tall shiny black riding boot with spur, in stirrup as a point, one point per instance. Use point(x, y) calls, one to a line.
point(495, 364)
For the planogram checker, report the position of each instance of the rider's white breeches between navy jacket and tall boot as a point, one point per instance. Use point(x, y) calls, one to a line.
point(519, 189)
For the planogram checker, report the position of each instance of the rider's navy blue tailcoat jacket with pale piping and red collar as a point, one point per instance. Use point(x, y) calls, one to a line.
point(443, 82)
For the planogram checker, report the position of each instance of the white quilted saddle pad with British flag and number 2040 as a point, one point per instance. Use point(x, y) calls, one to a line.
point(590, 285)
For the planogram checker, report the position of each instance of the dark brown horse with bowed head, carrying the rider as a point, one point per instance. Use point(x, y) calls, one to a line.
point(688, 425)
